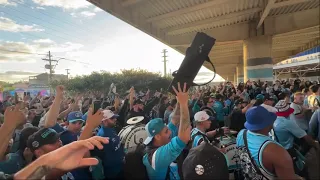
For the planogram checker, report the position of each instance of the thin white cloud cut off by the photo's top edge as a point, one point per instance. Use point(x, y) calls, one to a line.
point(65, 4)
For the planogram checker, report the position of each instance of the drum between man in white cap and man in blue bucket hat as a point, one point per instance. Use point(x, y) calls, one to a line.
point(229, 143)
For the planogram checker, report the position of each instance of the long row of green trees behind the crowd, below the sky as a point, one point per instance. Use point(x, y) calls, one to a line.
point(99, 82)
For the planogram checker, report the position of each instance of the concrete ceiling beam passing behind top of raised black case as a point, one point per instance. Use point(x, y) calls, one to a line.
point(227, 33)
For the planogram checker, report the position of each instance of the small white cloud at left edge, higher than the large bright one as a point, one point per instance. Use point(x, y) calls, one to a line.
point(7, 24)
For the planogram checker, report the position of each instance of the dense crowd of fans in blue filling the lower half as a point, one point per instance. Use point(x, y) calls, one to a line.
point(273, 127)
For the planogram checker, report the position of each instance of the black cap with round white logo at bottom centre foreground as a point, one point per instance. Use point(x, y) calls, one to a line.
point(205, 162)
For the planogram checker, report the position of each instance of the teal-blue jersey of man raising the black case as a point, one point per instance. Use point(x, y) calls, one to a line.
point(163, 158)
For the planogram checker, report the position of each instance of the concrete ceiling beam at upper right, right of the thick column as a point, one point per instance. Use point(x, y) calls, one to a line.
point(291, 22)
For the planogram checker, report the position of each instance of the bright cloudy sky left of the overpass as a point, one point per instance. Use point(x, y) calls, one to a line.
point(81, 36)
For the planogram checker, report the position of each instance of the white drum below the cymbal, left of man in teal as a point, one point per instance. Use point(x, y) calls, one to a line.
point(132, 135)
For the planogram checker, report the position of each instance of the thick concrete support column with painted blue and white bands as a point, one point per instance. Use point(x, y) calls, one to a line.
point(257, 59)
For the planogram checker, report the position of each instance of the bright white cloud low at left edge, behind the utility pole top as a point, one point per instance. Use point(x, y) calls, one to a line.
point(11, 51)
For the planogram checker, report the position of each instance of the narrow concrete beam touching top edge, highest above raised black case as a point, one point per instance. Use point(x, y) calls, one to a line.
point(188, 10)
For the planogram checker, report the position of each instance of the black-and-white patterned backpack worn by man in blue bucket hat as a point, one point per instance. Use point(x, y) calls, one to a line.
point(248, 170)
